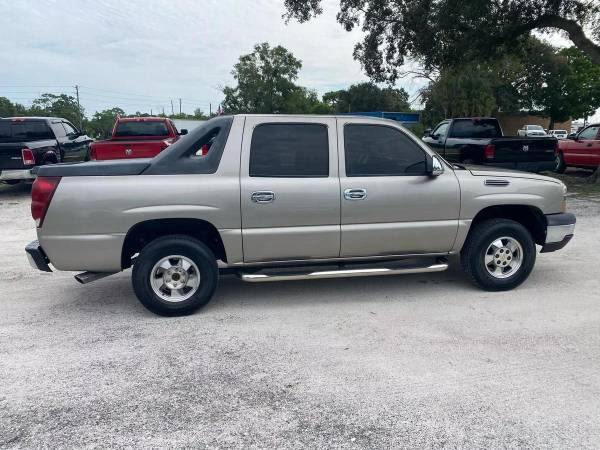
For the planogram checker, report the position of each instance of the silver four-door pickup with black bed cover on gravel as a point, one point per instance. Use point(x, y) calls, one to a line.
point(274, 197)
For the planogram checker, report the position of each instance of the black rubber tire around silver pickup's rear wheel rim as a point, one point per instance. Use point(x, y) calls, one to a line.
point(188, 247)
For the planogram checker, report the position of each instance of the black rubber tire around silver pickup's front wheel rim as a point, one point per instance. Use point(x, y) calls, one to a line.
point(474, 252)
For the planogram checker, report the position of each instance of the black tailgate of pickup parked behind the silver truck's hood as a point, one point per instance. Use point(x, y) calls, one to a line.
point(530, 149)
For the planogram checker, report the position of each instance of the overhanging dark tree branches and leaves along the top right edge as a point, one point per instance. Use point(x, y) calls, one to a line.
point(443, 33)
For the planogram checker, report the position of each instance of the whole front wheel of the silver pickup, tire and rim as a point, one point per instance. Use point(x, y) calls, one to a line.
point(499, 254)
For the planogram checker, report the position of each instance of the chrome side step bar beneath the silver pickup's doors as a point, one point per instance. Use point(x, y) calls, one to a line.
point(265, 275)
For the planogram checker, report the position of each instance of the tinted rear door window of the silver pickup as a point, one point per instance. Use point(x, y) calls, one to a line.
point(289, 150)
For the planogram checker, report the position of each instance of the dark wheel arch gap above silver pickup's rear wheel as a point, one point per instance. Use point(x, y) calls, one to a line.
point(142, 233)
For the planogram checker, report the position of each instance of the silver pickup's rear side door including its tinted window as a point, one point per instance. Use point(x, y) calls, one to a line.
point(290, 198)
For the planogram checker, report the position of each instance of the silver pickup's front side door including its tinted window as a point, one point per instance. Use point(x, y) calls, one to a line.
point(390, 206)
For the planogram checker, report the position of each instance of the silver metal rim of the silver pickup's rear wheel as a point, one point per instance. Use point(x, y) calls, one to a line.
point(175, 278)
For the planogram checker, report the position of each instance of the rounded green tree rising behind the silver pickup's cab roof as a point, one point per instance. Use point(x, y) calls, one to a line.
point(265, 79)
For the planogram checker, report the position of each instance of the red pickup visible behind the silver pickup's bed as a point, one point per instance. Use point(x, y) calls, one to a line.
point(136, 137)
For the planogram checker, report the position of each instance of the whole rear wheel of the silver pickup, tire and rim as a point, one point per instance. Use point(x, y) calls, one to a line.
point(175, 275)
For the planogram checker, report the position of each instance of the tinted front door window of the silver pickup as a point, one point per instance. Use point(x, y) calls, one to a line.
point(377, 150)
